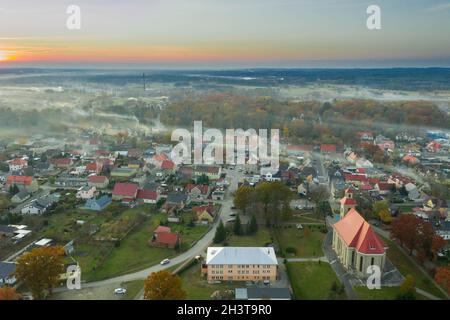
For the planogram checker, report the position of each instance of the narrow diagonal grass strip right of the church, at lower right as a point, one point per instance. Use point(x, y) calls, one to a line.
point(406, 267)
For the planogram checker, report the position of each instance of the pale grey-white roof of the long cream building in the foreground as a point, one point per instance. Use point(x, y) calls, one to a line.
point(241, 255)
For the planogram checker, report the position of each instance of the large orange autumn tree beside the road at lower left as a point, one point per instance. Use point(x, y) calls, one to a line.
point(40, 270)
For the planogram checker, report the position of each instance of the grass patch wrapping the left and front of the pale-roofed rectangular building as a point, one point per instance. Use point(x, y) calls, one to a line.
point(197, 288)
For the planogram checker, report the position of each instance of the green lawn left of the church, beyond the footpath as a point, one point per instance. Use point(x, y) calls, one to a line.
point(307, 243)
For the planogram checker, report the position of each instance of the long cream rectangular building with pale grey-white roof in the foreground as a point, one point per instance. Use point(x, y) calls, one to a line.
point(240, 264)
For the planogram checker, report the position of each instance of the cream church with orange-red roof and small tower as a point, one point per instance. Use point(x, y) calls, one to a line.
point(354, 241)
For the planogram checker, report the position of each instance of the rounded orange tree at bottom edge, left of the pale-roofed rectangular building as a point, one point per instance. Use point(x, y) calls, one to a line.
point(163, 285)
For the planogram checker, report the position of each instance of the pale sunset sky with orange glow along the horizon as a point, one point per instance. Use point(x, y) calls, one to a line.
point(225, 33)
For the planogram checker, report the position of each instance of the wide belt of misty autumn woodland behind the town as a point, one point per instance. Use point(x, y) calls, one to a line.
point(311, 121)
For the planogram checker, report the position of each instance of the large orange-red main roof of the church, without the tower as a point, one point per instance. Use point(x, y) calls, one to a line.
point(357, 233)
